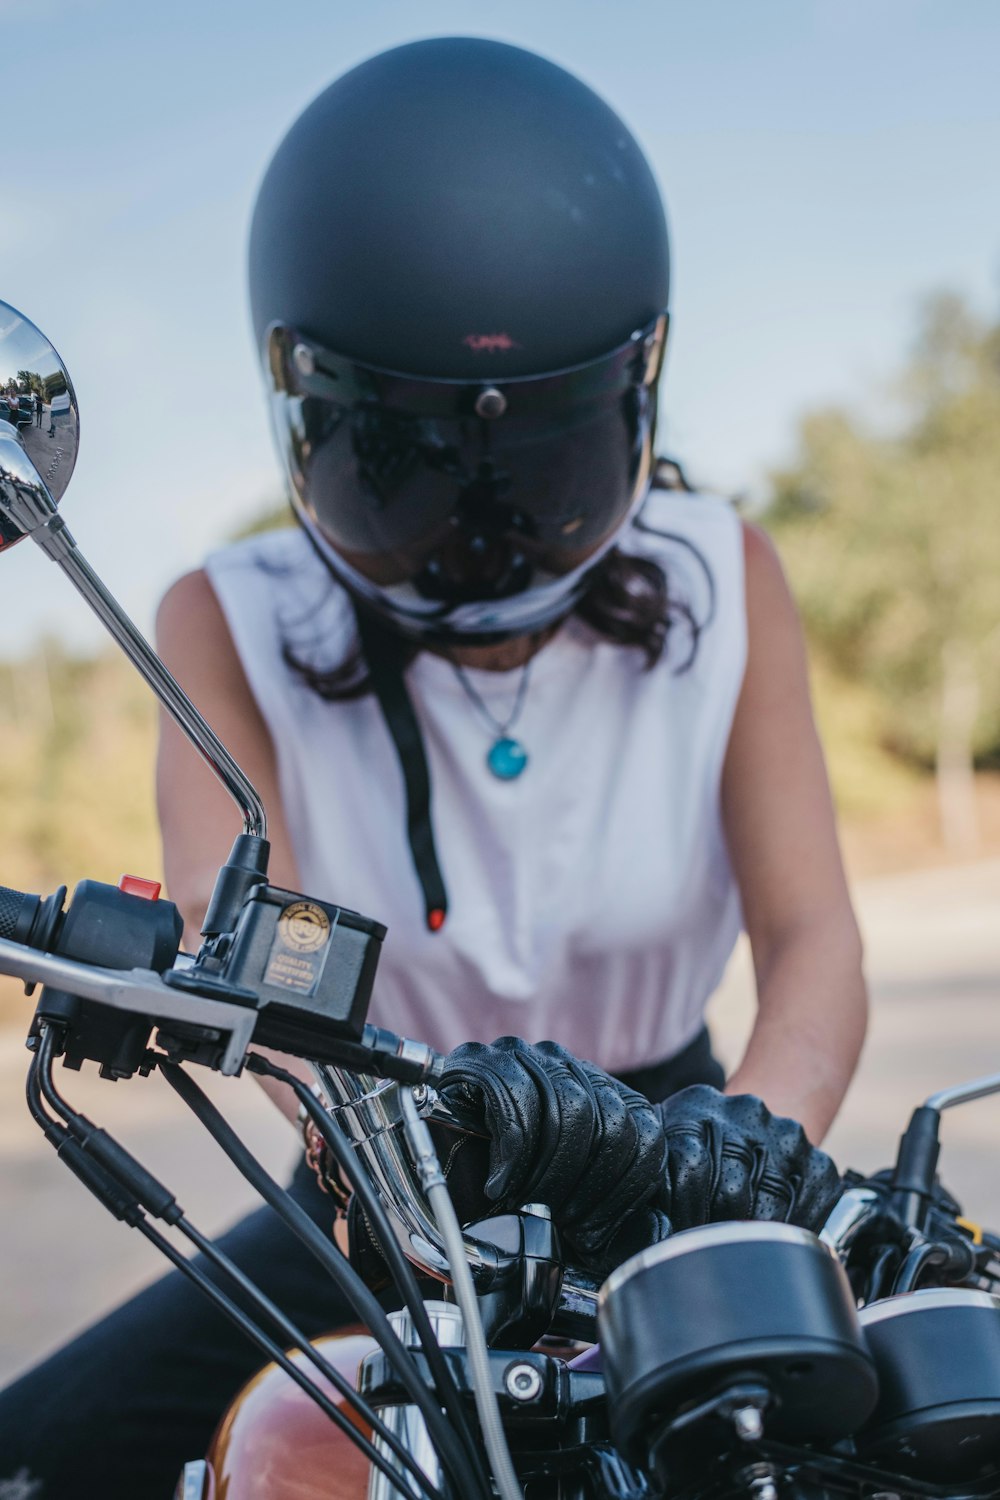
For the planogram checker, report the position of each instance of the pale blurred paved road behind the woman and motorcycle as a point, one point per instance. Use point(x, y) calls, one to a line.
point(935, 967)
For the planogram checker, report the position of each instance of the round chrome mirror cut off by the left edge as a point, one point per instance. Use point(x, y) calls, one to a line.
point(38, 407)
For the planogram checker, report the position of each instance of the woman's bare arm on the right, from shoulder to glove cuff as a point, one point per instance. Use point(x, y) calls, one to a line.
point(783, 845)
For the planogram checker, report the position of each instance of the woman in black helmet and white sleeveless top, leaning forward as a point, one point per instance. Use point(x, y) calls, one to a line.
point(548, 724)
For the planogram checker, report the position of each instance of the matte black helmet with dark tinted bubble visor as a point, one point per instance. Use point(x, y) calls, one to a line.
point(460, 278)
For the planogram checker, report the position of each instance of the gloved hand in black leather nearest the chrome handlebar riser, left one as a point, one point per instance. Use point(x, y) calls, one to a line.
point(564, 1133)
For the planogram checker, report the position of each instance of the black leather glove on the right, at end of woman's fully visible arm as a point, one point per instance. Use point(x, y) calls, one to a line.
point(729, 1159)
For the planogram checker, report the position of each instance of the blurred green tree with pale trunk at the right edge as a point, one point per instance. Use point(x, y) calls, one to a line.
point(894, 550)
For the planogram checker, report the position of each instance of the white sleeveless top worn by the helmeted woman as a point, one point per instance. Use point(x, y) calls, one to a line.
point(591, 901)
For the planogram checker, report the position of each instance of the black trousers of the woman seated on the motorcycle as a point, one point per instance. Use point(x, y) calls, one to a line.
point(118, 1414)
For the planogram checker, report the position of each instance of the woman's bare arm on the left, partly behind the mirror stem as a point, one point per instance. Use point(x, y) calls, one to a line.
point(199, 820)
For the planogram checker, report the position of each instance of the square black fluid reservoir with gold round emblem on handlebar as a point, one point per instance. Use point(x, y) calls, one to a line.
point(310, 964)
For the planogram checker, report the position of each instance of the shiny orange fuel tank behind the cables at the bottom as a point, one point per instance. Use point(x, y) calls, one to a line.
point(275, 1444)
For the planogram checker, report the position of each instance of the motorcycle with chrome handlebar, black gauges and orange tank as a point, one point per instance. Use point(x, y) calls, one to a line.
point(735, 1360)
